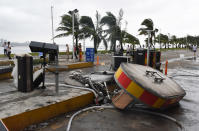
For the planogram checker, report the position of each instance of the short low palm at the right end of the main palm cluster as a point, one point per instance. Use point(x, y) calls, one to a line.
point(128, 38)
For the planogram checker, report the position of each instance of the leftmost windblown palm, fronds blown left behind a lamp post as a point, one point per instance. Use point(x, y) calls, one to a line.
point(66, 27)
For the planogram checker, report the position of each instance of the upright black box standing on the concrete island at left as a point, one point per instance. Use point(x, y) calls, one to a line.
point(25, 72)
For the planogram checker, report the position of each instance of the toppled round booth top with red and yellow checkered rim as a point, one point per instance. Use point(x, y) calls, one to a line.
point(143, 84)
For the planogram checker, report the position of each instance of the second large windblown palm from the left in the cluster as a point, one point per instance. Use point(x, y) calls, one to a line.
point(89, 29)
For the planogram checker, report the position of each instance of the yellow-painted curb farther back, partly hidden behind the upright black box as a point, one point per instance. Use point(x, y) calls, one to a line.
point(66, 67)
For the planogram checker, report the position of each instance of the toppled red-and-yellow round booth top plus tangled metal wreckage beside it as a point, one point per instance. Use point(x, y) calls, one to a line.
point(133, 84)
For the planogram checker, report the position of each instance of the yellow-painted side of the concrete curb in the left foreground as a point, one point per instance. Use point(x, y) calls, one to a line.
point(20, 121)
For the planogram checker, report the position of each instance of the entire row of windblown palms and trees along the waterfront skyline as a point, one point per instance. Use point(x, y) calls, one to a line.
point(108, 29)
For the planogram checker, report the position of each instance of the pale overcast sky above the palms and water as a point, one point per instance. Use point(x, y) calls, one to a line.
point(26, 20)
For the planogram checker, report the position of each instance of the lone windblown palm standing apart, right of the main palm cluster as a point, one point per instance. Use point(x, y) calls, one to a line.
point(148, 23)
